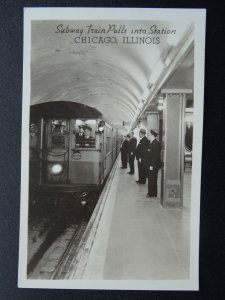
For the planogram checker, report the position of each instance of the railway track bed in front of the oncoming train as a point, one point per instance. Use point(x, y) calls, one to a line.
point(51, 240)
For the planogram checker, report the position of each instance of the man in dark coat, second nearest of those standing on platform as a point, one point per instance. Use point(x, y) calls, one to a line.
point(140, 152)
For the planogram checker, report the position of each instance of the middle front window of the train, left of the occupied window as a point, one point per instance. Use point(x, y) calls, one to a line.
point(58, 130)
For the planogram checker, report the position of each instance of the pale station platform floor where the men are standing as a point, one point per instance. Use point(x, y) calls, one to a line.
point(133, 237)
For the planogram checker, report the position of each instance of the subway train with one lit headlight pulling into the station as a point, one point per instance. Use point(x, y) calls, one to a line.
point(72, 150)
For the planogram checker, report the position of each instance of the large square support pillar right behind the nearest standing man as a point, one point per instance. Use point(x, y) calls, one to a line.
point(173, 131)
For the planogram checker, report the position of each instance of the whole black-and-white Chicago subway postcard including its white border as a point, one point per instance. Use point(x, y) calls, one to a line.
point(111, 148)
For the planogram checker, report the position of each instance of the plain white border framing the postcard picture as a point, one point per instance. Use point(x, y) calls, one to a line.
point(196, 15)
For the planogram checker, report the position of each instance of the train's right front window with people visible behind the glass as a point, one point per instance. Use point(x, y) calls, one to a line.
point(85, 133)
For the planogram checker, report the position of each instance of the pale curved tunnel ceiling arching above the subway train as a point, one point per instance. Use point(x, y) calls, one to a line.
point(111, 78)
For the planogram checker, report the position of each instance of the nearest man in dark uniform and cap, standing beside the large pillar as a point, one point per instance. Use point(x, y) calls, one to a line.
point(154, 164)
